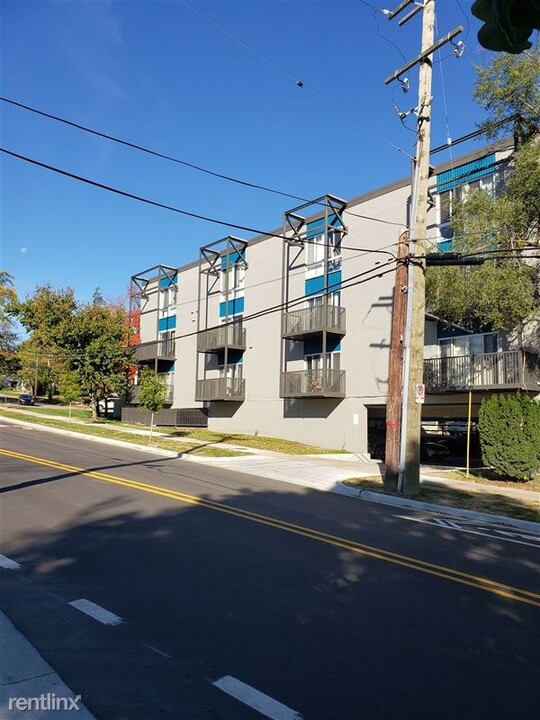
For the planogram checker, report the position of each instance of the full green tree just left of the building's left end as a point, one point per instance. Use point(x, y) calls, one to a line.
point(95, 343)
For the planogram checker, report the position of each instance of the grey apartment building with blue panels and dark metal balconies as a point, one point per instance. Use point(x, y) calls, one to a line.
point(288, 334)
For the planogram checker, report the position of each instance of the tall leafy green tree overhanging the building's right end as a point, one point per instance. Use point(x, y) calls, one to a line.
point(502, 293)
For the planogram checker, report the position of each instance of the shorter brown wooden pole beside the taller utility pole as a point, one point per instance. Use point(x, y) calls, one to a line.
point(395, 370)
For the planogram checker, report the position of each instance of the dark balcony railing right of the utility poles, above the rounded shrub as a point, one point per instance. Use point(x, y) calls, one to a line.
point(510, 369)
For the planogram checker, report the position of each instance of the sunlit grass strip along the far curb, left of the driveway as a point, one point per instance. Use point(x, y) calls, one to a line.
point(106, 430)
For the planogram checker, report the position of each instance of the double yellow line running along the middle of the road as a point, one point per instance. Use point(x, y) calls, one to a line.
point(481, 583)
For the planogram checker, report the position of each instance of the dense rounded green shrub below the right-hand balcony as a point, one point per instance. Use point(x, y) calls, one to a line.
point(509, 428)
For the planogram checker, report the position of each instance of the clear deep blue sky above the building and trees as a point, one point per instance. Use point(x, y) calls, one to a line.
point(158, 74)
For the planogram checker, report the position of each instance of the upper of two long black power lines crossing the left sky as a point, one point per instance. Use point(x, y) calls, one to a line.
point(170, 158)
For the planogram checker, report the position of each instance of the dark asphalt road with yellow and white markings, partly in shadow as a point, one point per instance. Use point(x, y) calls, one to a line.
point(333, 608)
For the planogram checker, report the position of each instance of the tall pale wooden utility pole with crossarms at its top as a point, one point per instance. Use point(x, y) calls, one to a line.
point(409, 465)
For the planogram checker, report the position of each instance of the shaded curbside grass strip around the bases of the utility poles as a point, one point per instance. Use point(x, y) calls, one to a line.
point(468, 500)
